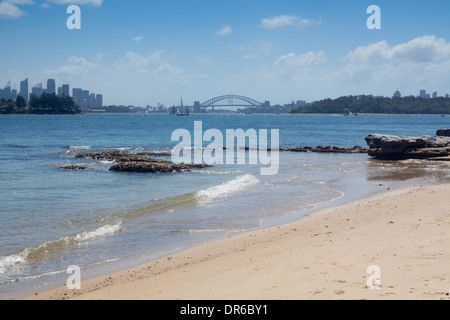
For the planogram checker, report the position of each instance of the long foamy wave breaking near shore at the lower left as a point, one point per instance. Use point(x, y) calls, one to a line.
point(31, 254)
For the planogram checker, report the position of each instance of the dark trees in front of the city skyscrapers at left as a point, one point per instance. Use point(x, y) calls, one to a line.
point(44, 104)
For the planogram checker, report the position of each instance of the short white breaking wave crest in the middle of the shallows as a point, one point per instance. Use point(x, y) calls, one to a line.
point(227, 188)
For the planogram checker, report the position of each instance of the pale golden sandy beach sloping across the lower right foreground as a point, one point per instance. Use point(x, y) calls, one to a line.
point(403, 234)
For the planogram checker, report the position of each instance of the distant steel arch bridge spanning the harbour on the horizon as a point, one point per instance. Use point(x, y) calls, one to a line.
point(229, 100)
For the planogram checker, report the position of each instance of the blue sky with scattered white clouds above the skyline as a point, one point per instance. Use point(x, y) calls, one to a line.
point(145, 52)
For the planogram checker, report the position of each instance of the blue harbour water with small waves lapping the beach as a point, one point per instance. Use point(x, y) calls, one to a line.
point(101, 221)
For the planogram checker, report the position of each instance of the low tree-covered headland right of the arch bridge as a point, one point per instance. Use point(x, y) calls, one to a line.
point(385, 105)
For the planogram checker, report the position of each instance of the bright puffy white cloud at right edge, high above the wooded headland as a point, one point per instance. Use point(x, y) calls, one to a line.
point(419, 50)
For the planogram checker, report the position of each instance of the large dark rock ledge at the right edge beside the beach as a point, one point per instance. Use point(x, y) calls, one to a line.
point(395, 147)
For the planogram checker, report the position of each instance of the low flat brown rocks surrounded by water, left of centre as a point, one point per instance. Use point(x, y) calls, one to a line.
point(139, 163)
